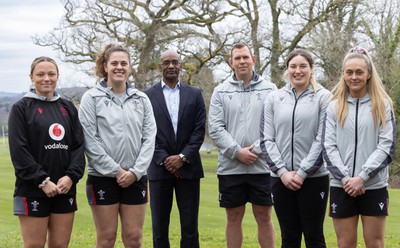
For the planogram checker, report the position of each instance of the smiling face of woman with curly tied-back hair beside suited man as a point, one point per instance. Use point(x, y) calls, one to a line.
point(117, 68)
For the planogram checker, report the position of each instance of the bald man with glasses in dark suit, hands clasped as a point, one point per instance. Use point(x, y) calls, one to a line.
point(180, 115)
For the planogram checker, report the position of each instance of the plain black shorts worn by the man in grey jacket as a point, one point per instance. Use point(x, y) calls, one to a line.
point(237, 190)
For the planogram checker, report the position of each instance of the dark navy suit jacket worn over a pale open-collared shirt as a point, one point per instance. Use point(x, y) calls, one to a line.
point(190, 132)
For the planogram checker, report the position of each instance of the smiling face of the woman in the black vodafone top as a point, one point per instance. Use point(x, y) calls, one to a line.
point(44, 77)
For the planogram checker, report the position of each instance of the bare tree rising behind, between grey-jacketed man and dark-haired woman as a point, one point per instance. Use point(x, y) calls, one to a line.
point(283, 26)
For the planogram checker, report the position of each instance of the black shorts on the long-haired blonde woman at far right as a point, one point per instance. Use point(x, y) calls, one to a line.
point(371, 203)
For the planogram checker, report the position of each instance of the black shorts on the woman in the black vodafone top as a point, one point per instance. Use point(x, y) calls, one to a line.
point(44, 206)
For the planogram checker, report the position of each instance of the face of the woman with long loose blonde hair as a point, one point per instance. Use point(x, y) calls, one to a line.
point(356, 76)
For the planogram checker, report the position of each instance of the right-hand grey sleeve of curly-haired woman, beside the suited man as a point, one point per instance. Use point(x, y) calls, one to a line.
point(149, 132)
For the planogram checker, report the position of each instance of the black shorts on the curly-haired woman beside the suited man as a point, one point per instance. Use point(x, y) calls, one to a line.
point(106, 191)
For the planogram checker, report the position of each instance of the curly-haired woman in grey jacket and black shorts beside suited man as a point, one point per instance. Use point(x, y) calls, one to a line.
point(120, 130)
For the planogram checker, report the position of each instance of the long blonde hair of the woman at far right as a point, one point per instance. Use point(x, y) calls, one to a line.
point(375, 89)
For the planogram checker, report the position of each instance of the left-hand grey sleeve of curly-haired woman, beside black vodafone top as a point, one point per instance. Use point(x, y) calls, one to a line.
point(95, 151)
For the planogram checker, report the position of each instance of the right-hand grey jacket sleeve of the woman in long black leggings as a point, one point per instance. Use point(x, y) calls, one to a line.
point(313, 161)
